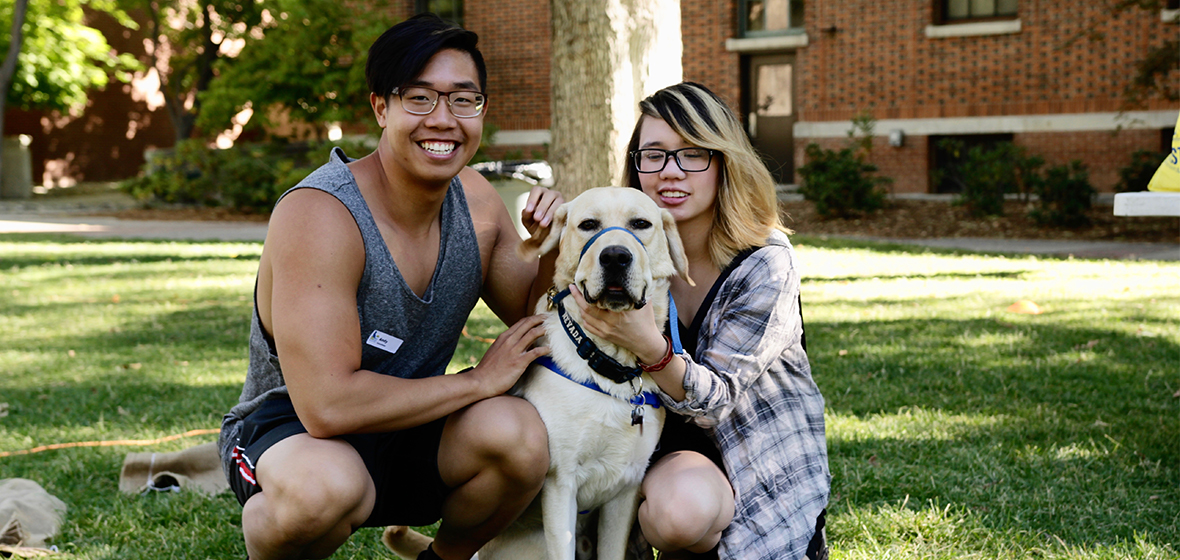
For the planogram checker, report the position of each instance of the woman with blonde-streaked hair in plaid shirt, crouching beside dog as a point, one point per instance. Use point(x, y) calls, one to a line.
point(742, 471)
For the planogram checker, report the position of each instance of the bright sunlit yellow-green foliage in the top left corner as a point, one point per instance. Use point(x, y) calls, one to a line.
point(61, 58)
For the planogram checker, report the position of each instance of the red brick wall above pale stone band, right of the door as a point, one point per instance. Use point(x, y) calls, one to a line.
point(880, 61)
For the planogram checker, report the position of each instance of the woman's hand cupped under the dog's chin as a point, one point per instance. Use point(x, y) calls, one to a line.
point(634, 331)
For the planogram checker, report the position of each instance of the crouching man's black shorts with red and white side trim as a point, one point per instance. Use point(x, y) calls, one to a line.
point(404, 465)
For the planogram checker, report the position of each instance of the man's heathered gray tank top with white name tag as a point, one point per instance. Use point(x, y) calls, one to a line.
point(404, 335)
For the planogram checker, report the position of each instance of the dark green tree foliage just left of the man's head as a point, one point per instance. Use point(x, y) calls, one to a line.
point(307, 58)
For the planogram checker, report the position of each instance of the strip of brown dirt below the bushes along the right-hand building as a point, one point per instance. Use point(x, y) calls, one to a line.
point(920, 220)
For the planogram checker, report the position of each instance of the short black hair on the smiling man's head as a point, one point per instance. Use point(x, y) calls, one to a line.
point(402, 52)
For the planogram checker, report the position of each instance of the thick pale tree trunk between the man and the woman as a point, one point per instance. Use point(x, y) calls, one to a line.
point(608, 55)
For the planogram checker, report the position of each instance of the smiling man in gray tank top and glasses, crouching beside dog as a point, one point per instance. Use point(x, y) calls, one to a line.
point(370, 271)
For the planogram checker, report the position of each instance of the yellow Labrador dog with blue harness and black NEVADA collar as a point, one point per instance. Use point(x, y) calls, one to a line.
point(602, 416)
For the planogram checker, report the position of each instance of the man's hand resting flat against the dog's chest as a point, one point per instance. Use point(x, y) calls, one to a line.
point(509, 357)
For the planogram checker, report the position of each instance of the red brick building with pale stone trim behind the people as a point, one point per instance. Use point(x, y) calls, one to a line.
point(1047, 76)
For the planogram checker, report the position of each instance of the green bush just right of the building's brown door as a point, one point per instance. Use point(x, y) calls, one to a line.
point(840, 183)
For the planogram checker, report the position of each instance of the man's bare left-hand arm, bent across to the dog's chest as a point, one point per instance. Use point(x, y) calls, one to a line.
point(316, 256)
